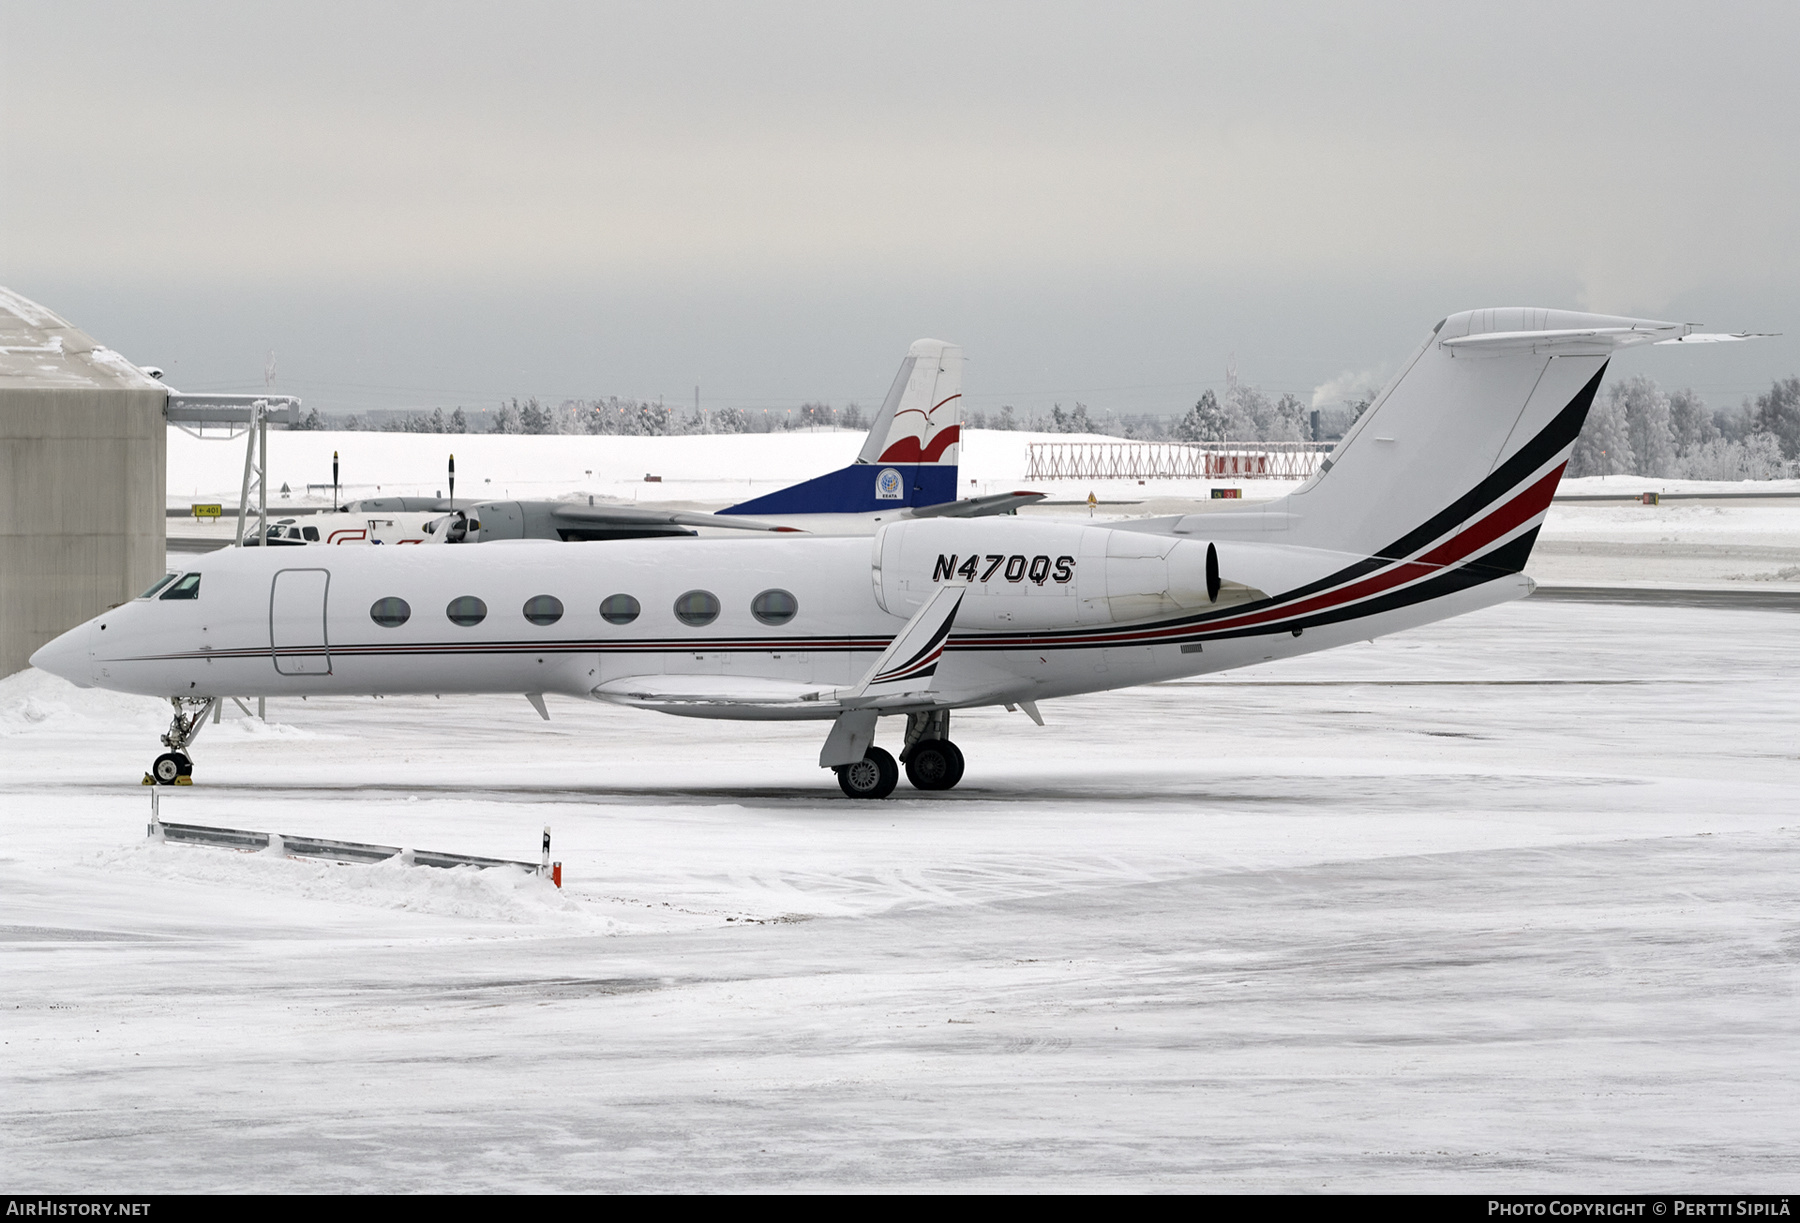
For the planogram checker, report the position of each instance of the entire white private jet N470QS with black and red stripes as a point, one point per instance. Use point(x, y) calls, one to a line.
point(1428, 509)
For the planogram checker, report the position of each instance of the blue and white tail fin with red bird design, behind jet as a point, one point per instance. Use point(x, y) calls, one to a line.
point(910, 457)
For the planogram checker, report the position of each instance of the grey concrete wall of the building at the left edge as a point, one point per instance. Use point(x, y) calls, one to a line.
point(82, 507)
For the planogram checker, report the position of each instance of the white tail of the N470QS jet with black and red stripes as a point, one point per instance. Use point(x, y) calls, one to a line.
point(1464, 449)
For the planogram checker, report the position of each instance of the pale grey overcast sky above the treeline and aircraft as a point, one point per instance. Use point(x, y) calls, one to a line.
point(444, 204)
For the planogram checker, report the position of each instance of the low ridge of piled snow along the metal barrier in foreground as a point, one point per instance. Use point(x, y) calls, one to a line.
point(467, 892)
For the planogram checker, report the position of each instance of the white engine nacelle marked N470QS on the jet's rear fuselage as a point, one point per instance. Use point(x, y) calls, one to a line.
point(1047, 575)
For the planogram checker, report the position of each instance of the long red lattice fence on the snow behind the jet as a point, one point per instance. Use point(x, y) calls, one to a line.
point(1174, 460)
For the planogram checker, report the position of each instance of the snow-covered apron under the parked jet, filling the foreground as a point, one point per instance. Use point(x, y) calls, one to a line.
point(1502, 905)
